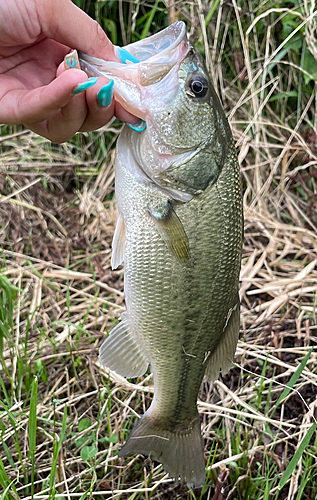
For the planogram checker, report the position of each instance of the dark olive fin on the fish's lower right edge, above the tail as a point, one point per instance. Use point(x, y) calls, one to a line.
point(221, 358)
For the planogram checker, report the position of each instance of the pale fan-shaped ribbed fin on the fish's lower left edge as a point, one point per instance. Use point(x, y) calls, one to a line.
point(122, 353)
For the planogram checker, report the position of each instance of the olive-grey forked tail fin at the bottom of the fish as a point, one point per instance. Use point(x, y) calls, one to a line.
point(181, 452)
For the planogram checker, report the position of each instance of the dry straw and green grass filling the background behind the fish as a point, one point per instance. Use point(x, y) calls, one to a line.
point(63, 417)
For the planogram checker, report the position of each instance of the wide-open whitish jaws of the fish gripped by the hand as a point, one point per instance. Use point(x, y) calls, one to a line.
point(157, 56)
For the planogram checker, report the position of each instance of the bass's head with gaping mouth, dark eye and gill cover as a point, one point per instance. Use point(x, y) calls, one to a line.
point(171, 90)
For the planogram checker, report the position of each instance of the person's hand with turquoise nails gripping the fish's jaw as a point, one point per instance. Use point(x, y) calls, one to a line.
point(35, 90)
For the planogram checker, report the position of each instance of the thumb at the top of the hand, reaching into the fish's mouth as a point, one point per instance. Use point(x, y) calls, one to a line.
point(62, 21)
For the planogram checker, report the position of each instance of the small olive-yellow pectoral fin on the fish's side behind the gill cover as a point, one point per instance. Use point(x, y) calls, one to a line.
point(171, 230)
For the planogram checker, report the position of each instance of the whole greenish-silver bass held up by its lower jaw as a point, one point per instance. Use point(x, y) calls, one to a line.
point(179, 233)
